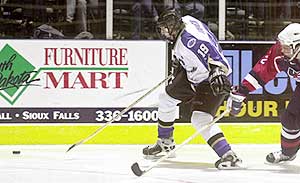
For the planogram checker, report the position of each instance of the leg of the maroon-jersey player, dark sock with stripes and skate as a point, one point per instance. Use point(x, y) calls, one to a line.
point(290, 132)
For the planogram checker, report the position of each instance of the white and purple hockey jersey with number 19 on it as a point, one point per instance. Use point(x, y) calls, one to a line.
point(195, 46)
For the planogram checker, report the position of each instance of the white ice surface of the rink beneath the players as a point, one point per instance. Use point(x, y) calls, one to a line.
point(111, 164)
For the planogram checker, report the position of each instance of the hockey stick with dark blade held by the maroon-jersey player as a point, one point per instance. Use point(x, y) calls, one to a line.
point(139, 172)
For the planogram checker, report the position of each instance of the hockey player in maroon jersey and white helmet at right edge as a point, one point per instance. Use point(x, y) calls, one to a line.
point(282, 56)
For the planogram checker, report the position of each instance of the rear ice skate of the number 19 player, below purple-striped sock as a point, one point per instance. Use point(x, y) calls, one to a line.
point(229, 161)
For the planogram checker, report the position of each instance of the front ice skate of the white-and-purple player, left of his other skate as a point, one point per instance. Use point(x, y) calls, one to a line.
point(159, 149)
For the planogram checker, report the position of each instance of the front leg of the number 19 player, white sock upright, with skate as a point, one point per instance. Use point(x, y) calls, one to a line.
point(178, 90)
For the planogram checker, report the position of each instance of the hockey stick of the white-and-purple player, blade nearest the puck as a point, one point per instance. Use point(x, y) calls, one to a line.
point(120, 114)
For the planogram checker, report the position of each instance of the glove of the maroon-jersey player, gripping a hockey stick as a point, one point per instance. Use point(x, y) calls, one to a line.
point(235, 101)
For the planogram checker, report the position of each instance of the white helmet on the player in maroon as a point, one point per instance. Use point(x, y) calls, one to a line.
point(290, 35)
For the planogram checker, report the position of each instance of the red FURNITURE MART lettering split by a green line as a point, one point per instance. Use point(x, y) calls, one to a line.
point(85, 68)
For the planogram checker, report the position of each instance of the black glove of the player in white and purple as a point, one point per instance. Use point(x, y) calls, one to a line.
point(218, 81)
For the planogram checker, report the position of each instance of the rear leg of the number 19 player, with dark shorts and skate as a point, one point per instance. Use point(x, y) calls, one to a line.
point(204, 107)
